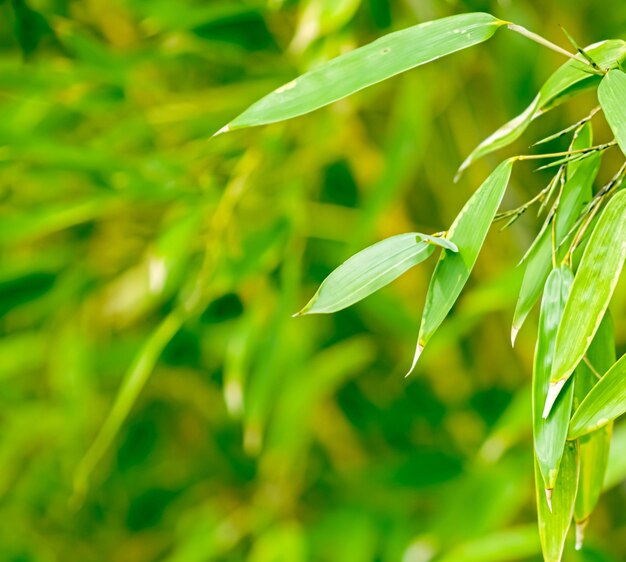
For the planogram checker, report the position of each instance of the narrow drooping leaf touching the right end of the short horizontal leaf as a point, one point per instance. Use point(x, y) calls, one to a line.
point(468, 232)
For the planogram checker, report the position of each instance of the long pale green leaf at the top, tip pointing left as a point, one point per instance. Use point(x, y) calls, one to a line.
point(390, 55)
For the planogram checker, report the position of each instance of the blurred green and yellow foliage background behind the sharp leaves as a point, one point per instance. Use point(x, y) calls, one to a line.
point(131, 240)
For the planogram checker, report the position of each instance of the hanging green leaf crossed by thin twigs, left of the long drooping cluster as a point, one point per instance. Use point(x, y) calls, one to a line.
point(577, 192)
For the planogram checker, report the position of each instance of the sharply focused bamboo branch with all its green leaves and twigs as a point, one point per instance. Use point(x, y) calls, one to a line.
point(572, 267)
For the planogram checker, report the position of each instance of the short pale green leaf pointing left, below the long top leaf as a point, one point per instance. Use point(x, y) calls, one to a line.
point(371, 269)
